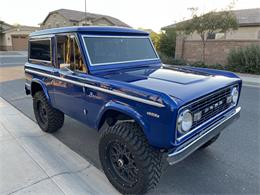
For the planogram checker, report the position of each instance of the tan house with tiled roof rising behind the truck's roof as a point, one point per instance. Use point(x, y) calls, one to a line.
point(65, 17)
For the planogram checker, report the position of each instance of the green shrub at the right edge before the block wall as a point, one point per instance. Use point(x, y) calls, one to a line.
point(246, 60)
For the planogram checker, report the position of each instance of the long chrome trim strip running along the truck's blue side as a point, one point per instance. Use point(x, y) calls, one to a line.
point(149, 102)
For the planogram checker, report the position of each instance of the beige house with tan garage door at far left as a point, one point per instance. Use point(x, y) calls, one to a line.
point(15, 37)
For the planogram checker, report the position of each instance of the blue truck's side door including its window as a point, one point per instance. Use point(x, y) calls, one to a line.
point(69, 71)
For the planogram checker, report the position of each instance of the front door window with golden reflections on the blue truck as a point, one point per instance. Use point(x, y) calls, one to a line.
point(68, 53)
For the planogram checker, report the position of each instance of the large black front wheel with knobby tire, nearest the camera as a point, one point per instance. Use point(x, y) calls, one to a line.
point(129, 162)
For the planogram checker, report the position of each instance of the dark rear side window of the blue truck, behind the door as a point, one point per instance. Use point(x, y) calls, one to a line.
point(40, 50)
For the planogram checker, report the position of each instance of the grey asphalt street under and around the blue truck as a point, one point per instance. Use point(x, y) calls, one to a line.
point(229, 166)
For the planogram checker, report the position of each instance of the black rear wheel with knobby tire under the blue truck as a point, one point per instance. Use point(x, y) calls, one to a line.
point(49, 119)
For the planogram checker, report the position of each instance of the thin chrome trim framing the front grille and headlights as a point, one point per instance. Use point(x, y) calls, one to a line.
point(211, 119)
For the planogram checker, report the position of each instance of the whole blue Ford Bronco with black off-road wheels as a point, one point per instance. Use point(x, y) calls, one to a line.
point(113, 76)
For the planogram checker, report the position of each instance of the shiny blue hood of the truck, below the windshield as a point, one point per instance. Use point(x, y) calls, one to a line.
point(182, 83)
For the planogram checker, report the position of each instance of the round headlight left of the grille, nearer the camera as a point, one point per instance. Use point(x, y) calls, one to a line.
point(185, 121)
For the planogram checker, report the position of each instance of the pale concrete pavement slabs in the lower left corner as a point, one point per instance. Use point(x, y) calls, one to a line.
point(34, 162)
